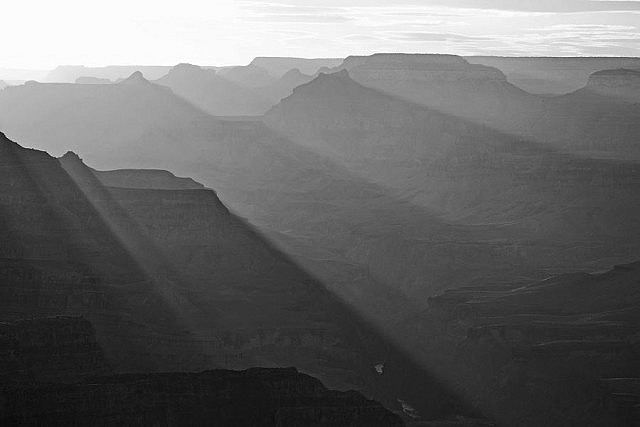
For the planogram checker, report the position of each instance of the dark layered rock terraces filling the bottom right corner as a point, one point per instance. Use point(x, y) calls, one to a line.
point(555, 352)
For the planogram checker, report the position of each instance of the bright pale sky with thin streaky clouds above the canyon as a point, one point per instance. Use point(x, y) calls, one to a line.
point(45, 33)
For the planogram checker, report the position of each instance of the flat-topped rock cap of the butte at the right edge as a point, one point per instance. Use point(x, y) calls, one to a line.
point(620, 83)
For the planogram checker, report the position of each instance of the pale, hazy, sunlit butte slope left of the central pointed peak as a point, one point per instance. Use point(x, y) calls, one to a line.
point(215, 94)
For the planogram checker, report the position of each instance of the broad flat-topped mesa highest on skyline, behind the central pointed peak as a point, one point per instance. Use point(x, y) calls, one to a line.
point(446, 83)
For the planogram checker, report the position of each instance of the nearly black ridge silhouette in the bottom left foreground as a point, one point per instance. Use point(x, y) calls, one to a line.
point(34, 351)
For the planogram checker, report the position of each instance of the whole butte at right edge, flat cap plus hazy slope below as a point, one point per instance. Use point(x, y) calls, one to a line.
point(600, 120)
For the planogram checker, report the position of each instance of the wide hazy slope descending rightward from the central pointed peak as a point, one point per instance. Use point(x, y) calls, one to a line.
point(502, 189)
